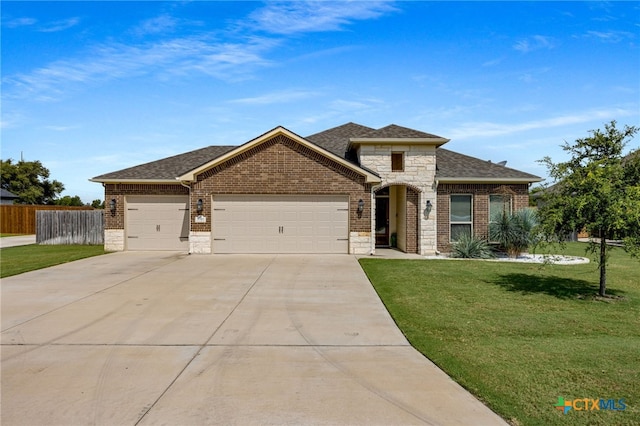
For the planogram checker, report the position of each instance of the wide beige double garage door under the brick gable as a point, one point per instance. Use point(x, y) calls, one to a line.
point(280, 224)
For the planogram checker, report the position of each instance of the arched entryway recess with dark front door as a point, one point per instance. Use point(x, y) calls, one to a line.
point(396, 217)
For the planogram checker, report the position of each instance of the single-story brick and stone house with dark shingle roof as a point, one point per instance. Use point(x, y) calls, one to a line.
point(348, 189)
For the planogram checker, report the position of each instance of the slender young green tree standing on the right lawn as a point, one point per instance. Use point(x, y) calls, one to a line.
point(598, 190)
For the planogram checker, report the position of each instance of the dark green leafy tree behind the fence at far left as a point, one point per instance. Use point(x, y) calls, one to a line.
point(29, 180)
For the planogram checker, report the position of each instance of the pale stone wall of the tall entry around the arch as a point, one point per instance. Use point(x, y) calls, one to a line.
point(419, 173)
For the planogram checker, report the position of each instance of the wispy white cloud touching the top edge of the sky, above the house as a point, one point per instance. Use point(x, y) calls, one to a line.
point(312, 16)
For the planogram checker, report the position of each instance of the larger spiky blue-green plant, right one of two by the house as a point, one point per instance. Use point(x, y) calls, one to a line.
point(514, 231)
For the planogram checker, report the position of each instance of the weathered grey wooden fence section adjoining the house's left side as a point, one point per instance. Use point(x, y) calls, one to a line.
point(55, 227)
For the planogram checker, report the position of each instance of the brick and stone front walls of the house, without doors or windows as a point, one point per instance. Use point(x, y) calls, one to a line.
point(282, 165)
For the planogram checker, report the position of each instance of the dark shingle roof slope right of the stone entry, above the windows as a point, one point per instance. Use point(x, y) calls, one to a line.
point(451, 164)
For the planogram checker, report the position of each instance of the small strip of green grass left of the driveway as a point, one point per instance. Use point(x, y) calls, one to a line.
point(17, 260)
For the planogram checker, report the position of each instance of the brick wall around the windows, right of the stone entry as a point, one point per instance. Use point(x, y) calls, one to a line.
point(480, 192)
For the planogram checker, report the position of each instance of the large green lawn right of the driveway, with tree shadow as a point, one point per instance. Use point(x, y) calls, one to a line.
point(518, 336)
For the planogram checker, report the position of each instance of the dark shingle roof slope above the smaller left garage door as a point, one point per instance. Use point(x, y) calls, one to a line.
point(169, 168)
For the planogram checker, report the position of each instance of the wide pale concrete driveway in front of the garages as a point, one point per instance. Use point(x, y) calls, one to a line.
point(165, 338)
